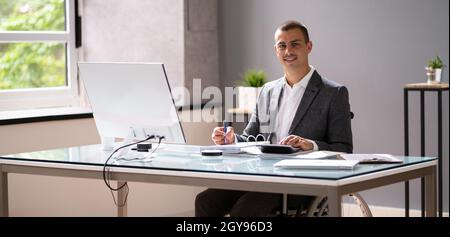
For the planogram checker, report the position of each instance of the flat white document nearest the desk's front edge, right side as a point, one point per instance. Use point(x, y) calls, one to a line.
point(317, 164)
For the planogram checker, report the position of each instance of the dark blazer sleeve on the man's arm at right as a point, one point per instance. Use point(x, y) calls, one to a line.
point(339, 132)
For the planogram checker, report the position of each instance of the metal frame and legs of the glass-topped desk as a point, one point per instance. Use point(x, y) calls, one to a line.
point(334, 189)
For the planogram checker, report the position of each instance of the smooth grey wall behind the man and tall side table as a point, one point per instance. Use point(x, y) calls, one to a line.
point(372, 47)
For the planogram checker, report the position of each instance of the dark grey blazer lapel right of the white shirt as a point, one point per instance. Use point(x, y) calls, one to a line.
point(311, 91)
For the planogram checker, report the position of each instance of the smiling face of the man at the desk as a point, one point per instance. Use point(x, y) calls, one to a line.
point(291, 48)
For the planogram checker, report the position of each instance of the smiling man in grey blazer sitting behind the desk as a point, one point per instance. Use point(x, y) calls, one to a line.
point(301, 109)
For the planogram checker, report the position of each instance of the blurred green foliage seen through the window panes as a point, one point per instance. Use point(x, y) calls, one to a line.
point(36, 64)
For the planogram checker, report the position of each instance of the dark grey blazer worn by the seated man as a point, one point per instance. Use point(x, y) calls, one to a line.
point(323, 114)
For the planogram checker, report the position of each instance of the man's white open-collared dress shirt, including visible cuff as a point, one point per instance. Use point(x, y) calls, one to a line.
point(289, 102)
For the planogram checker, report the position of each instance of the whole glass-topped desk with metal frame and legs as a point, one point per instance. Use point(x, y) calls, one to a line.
point(184, 165)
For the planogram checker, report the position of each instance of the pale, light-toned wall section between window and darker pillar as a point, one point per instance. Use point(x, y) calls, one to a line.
point(136, 31)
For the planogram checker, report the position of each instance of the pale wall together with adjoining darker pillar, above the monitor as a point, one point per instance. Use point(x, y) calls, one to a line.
point(181, 34)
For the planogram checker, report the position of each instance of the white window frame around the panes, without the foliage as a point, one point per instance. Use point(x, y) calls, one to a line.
point(35, 98)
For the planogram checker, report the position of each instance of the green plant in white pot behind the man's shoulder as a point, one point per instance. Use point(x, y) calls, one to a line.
point(249, 88)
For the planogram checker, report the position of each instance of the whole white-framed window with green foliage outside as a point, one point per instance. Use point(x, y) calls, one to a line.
point(37, 54)
